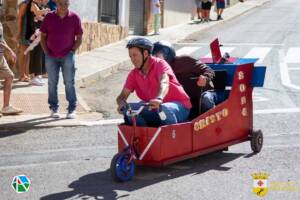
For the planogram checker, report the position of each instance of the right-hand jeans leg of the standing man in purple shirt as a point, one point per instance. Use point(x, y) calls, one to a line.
point(68, 71)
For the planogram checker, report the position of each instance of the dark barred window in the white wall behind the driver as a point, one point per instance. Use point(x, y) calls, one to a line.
point(108, 11)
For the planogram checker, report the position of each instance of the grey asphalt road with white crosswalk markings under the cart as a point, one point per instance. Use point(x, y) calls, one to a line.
point(73, 163)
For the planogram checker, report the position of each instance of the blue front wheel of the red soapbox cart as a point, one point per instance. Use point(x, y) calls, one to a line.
point(121, 170)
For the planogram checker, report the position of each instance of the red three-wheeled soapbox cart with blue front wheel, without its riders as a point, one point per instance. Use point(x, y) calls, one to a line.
point(229, 122)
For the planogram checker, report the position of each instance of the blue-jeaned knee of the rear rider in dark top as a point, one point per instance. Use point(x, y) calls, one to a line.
point(208, 100)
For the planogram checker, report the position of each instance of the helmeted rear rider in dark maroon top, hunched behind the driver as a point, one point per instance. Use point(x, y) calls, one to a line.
point(185, 68)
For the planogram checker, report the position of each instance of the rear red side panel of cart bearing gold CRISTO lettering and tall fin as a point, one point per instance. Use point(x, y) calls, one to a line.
point(230, 120)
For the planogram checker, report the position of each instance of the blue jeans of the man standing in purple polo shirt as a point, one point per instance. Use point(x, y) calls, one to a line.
point(67, 65)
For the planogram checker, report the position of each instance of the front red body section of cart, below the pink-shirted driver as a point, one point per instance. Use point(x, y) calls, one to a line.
point(172, 141)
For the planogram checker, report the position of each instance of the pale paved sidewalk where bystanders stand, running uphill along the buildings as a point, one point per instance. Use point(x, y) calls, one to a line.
point(95, 65)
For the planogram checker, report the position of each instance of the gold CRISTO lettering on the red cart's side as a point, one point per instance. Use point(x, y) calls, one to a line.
point(211, 119)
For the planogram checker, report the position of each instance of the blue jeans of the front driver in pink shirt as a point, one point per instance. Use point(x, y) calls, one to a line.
point(174, 113)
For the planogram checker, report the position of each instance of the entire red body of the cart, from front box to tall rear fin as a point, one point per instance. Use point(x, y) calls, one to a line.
point(228, 123)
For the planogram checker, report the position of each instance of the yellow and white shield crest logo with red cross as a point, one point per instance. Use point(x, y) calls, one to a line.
point(260, 184)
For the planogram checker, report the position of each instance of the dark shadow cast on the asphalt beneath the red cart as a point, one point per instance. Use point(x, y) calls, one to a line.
point(101, 186)
